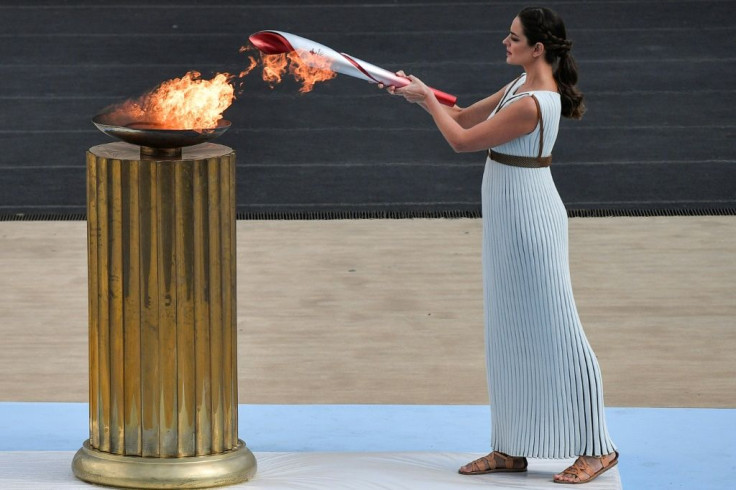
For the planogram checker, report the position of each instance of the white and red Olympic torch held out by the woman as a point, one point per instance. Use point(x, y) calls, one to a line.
point(278, 42)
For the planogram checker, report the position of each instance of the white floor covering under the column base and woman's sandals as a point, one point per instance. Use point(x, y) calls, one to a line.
point(41, 470)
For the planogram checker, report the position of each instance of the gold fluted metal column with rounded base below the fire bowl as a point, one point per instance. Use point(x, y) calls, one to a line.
point(162, 314)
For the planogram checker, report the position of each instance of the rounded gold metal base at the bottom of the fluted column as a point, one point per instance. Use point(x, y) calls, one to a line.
point(213, 470)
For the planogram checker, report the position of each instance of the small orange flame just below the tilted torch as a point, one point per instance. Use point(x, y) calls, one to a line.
point(306, 67)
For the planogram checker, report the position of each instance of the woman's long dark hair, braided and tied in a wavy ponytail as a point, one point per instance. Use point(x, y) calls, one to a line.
point(542, 25)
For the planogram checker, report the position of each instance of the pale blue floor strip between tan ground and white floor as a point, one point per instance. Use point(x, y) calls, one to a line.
point(661, 448)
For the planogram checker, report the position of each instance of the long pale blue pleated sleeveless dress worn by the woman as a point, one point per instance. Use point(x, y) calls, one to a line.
point(544, 380)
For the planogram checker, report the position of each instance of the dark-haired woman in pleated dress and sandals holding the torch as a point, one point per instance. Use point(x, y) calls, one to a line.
point(543, 378)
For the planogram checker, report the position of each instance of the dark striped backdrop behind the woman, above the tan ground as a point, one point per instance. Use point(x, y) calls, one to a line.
point(658, 76)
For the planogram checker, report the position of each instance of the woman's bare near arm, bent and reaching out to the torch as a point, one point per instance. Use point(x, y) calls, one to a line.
point(513, 121)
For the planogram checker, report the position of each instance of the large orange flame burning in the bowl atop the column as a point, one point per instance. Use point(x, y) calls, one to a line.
point(189, 102)
